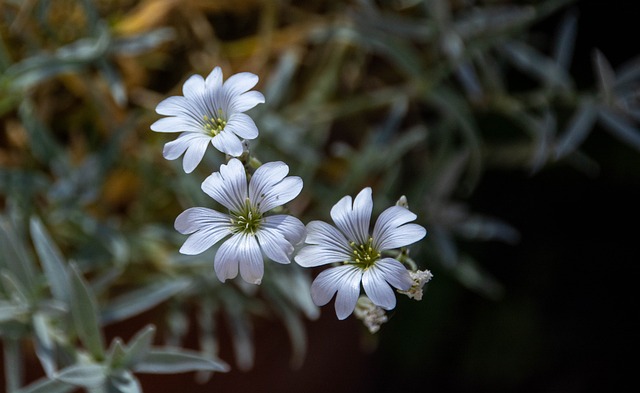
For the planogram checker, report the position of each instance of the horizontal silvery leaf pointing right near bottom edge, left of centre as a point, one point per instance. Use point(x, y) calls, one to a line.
point(175, 360)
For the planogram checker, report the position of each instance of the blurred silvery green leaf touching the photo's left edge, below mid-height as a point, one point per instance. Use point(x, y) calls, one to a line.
point(14, 256)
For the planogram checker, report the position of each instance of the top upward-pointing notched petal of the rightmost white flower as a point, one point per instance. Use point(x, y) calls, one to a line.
point(354, 219)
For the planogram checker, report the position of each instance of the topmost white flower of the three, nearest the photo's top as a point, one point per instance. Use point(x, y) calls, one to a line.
point(209, 111)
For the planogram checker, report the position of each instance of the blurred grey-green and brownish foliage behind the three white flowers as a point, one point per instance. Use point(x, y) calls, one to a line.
point(414, 98)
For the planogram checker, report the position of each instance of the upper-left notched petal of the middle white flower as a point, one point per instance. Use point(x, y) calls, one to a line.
point(228, 186)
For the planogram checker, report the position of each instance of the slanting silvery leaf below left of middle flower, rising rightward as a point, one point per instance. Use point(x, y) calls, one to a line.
point(141, 299)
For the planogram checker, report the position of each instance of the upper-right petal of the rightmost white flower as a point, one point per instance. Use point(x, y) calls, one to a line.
point(392, 231)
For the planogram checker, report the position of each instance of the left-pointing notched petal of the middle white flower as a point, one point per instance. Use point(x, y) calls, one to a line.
point(206, 226)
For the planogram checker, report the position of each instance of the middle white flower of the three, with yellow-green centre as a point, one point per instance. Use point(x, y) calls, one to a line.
point(250, 229)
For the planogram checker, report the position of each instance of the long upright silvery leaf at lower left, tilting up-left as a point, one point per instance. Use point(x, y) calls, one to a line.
point(52, 262)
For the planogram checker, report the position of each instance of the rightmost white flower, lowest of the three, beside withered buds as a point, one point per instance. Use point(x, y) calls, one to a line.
point(359, 253)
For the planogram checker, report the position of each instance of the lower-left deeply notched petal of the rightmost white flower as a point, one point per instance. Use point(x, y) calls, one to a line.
point(343, 279)
